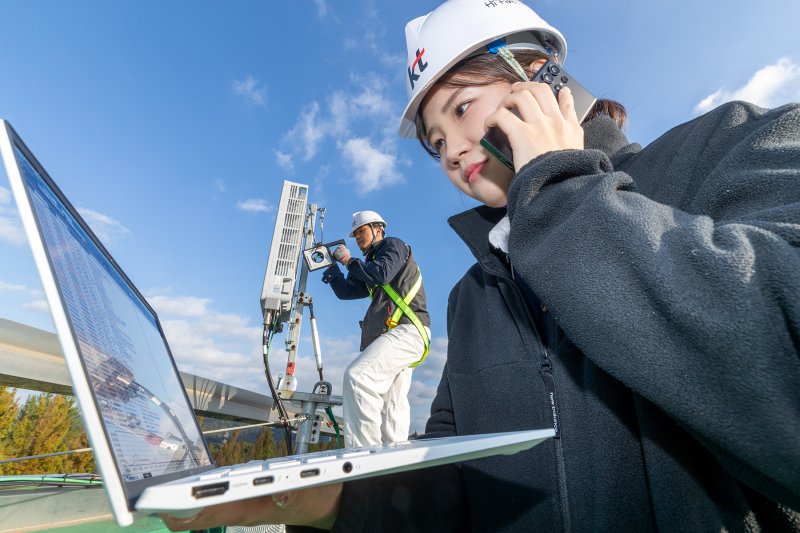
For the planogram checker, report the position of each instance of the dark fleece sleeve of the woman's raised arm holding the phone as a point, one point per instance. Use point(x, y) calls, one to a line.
point(697, 307)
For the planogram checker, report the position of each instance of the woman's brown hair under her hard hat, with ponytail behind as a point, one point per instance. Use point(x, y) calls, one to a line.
point(486, 69)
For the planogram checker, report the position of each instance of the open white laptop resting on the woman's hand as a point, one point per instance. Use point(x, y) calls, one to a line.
point(147, 444)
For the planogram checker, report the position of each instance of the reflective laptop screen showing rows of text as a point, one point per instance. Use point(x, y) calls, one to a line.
point(146, 416)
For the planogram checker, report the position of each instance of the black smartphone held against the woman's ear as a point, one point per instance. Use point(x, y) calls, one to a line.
point(553, 74)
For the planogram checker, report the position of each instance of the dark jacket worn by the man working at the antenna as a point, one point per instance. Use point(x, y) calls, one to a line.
point(388, 261)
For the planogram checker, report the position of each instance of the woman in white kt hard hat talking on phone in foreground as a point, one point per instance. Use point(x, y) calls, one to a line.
point(640, 302)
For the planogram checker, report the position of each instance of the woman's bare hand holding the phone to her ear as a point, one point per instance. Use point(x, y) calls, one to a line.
point(535, 122)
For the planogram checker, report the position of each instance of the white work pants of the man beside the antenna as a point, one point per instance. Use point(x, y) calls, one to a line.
point(375, 393)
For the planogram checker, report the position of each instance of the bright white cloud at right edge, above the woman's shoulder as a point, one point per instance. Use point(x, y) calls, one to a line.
point(769, 87)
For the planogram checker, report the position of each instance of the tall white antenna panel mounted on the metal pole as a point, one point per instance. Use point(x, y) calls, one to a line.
point(284, 253)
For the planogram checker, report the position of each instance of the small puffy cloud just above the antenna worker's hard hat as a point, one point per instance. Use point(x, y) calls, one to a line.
point(372, 168)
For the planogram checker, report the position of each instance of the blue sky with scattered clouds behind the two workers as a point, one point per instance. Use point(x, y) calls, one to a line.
point(171, 126)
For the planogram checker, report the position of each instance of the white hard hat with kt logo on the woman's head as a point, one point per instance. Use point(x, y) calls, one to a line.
point(457, 28)
